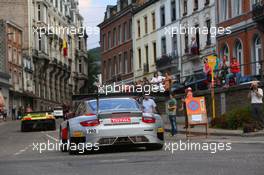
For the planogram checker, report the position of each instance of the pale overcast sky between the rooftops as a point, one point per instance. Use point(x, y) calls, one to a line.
point(93, 13)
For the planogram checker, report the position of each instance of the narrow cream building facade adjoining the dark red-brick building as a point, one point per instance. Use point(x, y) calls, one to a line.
point(145, 40)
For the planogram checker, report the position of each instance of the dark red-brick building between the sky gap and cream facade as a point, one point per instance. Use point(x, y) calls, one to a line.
point(116, 43)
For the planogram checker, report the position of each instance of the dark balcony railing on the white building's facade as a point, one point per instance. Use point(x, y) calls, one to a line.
point(167, 61)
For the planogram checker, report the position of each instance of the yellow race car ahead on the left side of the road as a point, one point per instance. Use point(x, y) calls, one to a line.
point(38, 121)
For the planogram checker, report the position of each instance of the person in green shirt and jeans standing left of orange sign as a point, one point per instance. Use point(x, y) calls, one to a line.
point(172, 108)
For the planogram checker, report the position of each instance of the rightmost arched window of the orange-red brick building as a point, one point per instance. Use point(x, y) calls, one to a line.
point(256, 56)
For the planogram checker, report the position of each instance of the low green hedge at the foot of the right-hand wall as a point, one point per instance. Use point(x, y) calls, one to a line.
point(234, 119)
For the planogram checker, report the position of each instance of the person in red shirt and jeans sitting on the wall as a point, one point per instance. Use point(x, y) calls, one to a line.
point(234, 72)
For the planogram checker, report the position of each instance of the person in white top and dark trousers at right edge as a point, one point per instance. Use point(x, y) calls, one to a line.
point(256, 96)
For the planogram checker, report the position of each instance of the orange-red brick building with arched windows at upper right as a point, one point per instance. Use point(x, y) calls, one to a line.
point(246, 42)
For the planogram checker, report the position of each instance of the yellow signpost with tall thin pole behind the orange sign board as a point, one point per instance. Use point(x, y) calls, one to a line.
point(212, 63)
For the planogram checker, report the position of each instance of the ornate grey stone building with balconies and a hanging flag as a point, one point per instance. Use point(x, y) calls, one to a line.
point(54, 63)
